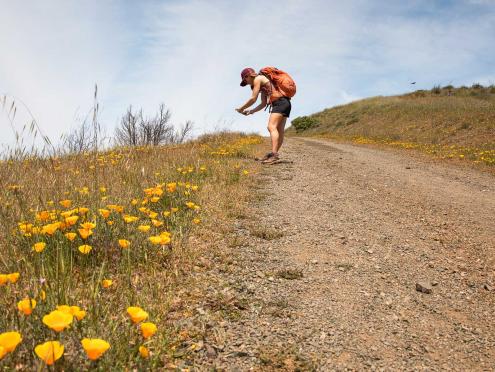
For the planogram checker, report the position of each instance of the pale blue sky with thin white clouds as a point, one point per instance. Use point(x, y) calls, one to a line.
point(188, 54)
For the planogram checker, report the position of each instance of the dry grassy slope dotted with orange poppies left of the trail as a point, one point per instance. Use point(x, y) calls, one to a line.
point(173, 190)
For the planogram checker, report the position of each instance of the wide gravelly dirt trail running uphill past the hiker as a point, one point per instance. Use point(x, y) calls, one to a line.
point(362, 226)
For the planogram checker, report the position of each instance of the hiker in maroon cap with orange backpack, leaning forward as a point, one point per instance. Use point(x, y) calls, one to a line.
point(276, 88)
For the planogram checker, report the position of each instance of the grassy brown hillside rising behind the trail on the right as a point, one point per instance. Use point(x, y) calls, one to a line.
point(461, 118)
